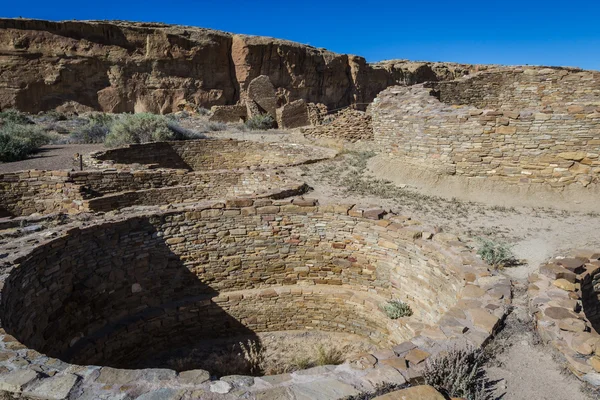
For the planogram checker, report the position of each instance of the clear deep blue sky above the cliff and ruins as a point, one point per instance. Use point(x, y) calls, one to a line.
point(506, 32)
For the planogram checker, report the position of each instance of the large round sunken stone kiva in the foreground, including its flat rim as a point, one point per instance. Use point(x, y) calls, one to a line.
point(82, 310)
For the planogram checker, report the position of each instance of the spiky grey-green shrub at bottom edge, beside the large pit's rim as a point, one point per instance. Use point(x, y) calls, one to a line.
point(459, 373)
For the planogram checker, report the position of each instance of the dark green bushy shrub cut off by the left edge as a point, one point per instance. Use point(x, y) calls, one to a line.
point(18, 141)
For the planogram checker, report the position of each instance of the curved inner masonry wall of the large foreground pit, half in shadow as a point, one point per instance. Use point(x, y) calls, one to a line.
point(69, 294)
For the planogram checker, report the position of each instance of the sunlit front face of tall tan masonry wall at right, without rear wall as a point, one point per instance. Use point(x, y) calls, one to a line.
point(557, 146)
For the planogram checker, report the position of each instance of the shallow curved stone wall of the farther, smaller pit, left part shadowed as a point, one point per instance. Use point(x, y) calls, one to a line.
point(209, 154)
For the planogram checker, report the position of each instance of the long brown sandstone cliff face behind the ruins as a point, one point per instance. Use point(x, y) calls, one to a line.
point(126, 67)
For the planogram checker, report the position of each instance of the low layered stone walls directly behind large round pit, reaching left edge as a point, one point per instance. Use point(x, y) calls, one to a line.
point(45, 192)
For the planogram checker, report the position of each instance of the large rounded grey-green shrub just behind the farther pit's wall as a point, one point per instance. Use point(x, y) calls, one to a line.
point(139, 128)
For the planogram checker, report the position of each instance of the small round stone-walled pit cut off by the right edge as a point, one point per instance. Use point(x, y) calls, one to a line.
point(565, 299)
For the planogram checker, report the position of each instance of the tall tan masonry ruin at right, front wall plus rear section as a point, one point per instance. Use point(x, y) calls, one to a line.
point(549, 137)
